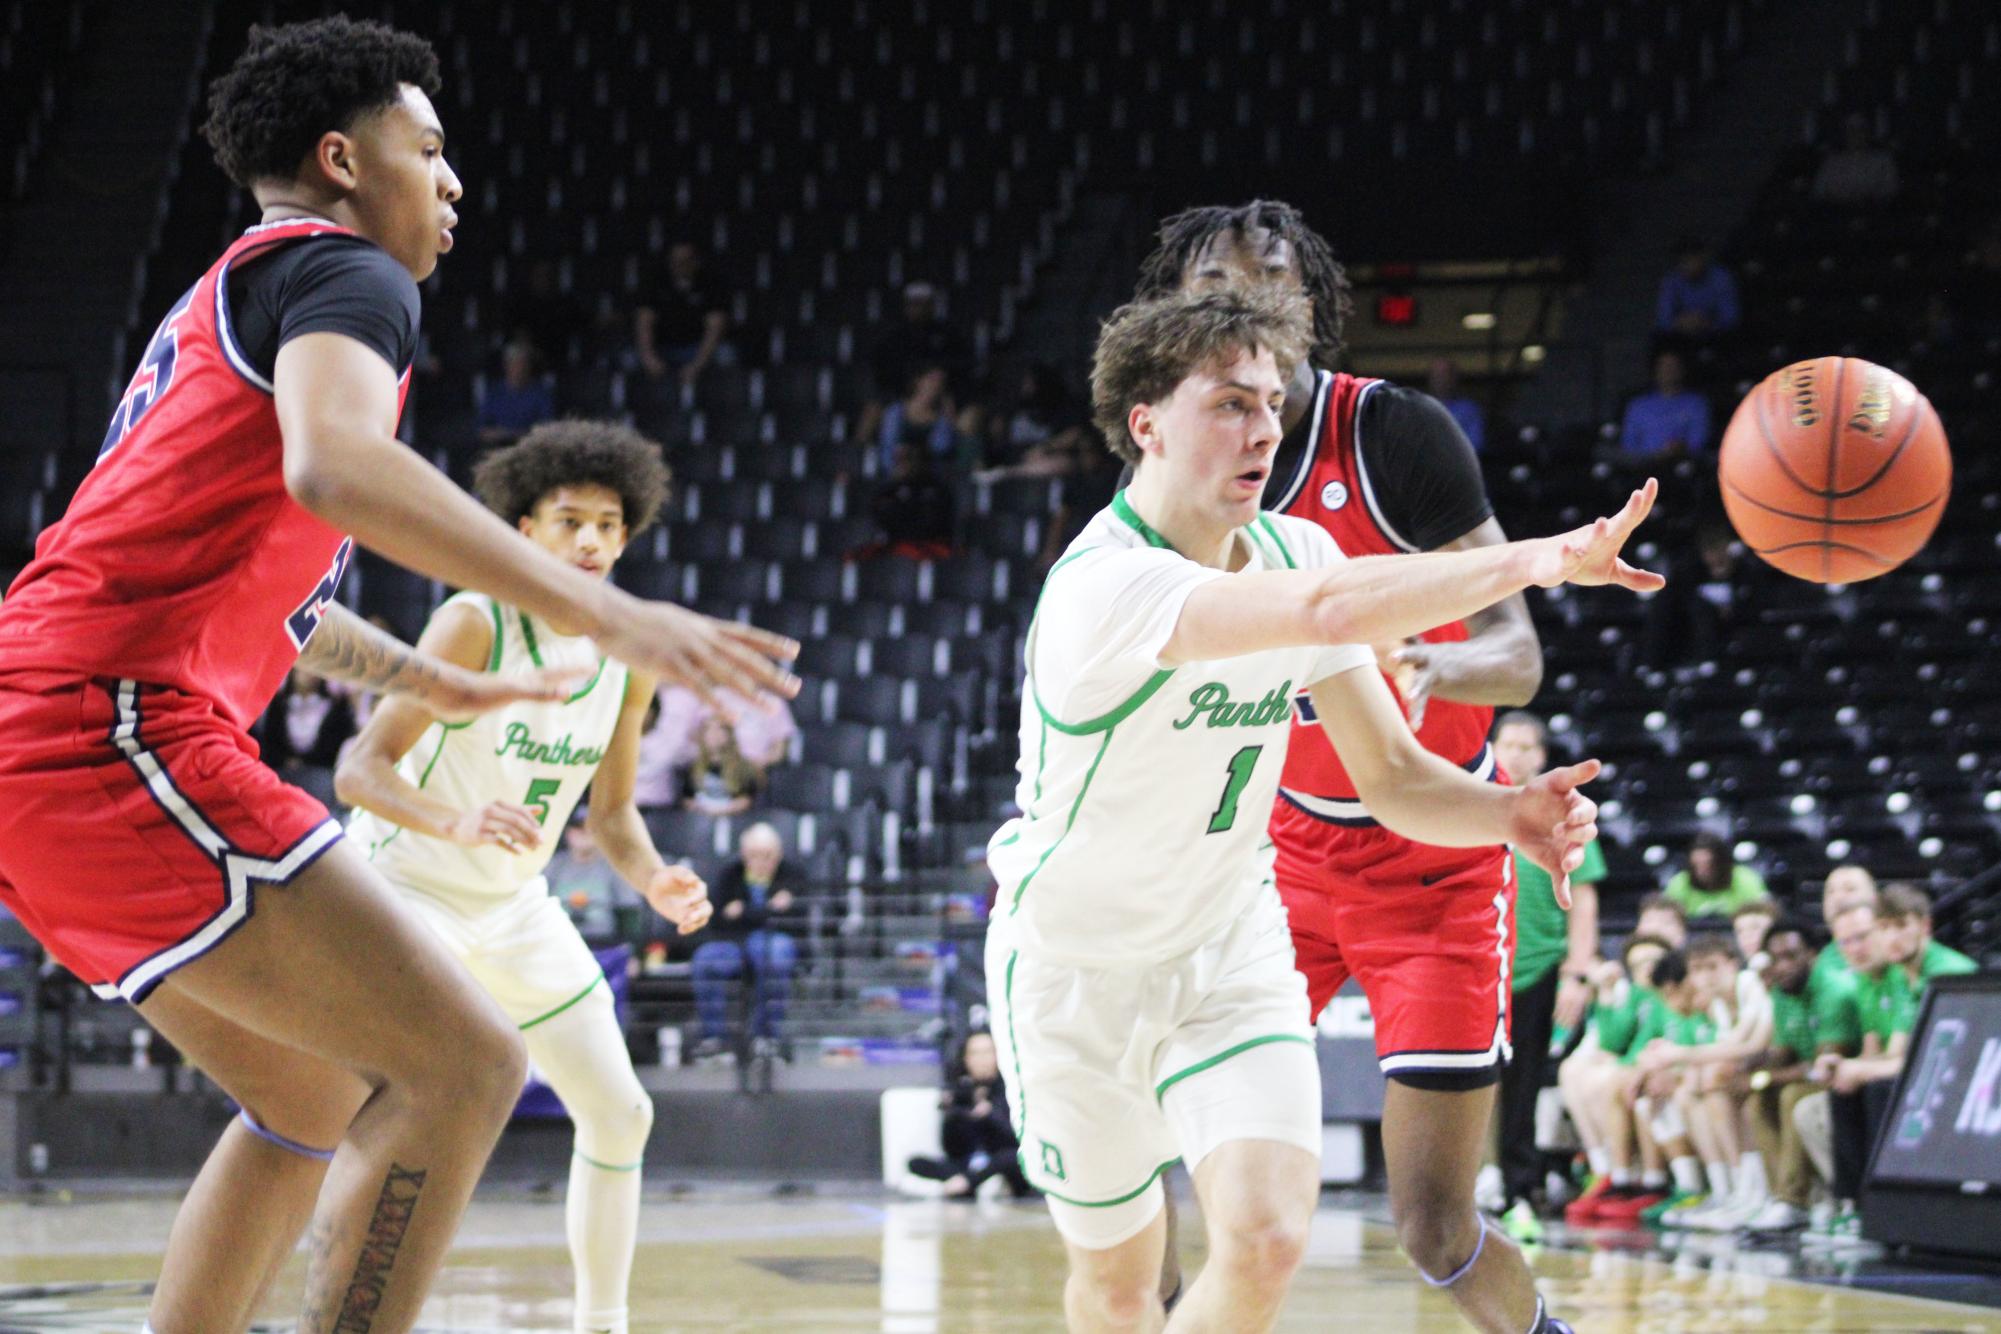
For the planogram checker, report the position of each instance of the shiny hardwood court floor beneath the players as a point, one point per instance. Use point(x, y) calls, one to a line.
point(739, 1259)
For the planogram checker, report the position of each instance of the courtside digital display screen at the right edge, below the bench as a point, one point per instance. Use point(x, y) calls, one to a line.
point(1946, 1119)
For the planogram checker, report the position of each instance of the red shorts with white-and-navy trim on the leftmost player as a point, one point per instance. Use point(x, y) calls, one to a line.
point(137, 825)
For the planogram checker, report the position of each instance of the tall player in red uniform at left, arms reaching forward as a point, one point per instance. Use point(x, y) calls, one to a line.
point(141, 839)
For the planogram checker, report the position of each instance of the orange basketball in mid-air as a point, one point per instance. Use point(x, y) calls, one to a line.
point(1836, 471)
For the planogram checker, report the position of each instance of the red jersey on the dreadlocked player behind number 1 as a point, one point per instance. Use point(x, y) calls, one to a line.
point(1334, 491)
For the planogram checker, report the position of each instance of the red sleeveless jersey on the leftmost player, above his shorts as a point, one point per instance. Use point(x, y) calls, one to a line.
point(183, 561)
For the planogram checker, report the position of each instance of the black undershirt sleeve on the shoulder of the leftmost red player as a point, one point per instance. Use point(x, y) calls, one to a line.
point(331, 285)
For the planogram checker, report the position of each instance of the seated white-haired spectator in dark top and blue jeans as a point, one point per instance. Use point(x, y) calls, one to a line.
point(743, 933)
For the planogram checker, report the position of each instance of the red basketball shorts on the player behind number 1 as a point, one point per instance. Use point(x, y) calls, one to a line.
point(1428, 933)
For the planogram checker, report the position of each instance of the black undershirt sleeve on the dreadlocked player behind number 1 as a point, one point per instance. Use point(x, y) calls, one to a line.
point(1426, 475)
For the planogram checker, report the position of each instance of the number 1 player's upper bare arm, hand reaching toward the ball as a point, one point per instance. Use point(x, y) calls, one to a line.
point(1378, 599)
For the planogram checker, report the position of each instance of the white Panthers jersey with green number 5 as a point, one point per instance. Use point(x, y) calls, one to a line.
point(533, 753)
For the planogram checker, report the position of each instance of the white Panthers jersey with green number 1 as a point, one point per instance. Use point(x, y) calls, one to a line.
point(1146, 791)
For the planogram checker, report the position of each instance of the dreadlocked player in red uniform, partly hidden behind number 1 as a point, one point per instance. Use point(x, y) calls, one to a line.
point(1428, 933)
